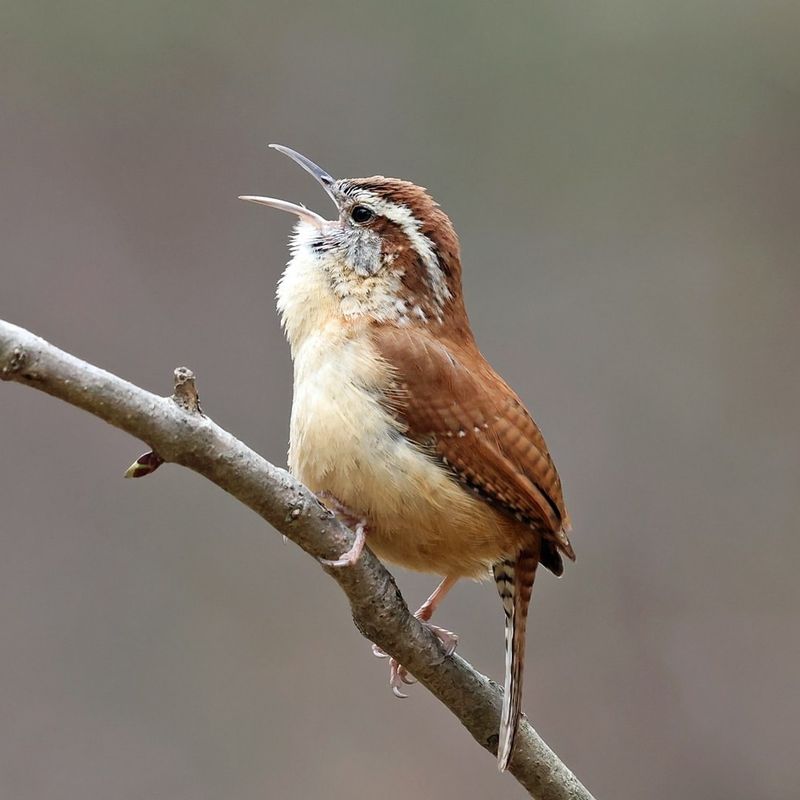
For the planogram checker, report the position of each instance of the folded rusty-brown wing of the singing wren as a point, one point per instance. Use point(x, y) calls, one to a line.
point(452, 401)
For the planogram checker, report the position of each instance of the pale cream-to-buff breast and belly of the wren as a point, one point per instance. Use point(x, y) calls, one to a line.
point(343, 442)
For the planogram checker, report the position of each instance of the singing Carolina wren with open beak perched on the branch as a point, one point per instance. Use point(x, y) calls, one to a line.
point(399, 420)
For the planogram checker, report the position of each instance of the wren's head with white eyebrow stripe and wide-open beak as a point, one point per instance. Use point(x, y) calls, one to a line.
point(391, 254)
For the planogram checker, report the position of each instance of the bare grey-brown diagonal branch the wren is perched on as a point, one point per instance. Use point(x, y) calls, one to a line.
point(177, 431)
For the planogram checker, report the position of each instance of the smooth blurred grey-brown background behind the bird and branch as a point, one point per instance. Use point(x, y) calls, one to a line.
point(625, 178)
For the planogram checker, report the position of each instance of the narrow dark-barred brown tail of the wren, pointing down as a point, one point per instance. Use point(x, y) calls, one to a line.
point(514, 578)
